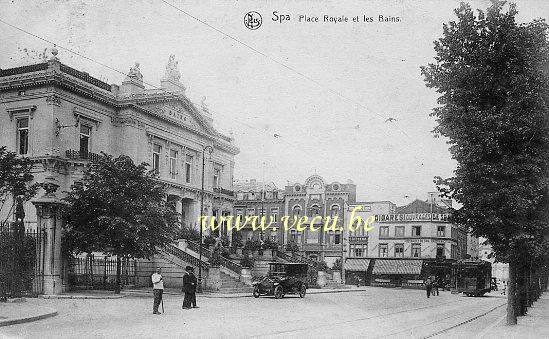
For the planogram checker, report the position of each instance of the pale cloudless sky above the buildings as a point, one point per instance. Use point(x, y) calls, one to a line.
point(326, 89)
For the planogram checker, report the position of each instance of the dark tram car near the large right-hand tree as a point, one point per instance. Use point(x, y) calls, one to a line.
point(472, 277)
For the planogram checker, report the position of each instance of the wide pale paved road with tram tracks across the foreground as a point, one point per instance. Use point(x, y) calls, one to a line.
point(376, 312)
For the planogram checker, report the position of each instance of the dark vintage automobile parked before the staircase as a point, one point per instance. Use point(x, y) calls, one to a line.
point(283, 278)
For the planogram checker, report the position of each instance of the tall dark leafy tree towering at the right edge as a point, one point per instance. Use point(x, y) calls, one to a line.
point(492, 74)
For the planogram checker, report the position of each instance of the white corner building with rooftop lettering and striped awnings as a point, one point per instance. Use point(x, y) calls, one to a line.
point(402, 238)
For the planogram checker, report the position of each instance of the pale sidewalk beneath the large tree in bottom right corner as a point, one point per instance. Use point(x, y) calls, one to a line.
point(534, 325)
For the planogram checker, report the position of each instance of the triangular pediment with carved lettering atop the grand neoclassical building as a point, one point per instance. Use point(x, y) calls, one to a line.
point(179, 114)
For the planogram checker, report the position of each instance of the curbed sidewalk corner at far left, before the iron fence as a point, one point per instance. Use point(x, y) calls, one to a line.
point(22, 312)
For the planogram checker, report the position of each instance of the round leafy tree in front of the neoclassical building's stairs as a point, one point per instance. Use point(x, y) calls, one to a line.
point(118, 209)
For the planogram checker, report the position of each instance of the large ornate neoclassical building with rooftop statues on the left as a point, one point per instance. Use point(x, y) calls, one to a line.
point(62, 118)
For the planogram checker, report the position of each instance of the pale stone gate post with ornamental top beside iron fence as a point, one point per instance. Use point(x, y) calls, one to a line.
point(50, 221)
